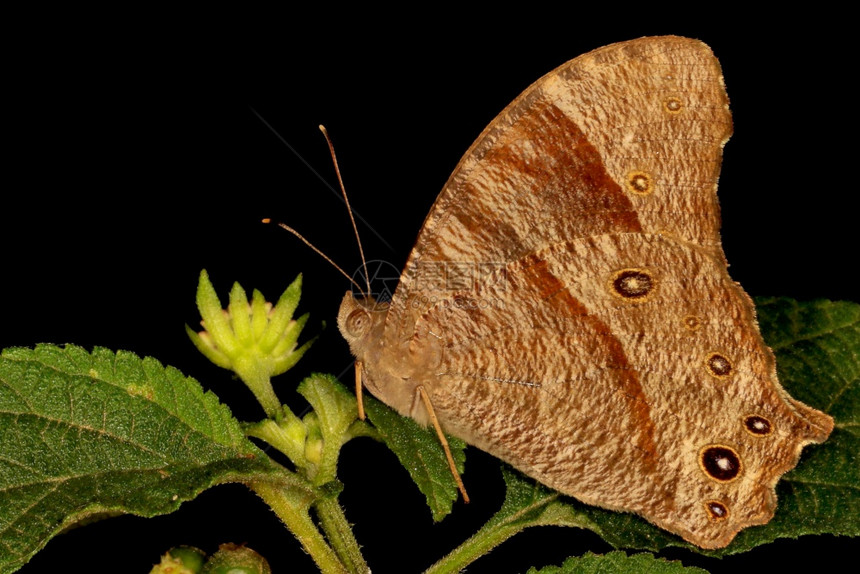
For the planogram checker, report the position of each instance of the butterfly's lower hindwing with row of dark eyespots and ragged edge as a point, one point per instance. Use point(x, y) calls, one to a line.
point(610, 393)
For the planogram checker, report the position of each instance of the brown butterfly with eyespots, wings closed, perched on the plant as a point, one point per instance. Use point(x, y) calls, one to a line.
point(567, 306)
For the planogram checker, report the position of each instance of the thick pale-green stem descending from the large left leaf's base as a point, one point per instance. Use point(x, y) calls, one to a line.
point(292, 507)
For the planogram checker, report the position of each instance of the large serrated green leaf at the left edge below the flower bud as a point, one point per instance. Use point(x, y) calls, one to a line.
point(84, 435)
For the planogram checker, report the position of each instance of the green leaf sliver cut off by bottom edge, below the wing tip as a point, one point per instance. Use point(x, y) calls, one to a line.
point(617, 562)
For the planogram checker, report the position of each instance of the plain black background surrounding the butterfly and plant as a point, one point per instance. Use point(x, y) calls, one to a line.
point(138, 159)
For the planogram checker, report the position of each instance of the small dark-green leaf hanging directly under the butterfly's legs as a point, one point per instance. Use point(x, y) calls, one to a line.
point(421, 453)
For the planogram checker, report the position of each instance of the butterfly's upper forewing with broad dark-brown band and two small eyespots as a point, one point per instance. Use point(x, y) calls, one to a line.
point(593, 147)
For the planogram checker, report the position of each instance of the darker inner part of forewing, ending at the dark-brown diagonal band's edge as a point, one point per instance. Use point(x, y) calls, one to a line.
point(537, 182)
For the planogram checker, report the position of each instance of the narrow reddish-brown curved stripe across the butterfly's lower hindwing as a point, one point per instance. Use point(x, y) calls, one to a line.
point(540, 278)
